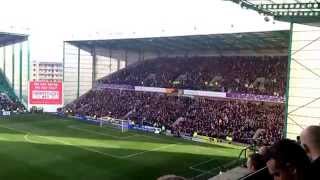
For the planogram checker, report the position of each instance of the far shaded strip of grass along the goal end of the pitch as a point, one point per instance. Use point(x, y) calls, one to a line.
point(49, 125)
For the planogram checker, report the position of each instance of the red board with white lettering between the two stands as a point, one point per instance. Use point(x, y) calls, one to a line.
point(47, 93)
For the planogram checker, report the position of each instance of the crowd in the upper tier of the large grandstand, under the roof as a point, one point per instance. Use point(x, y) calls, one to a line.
point(264, 75)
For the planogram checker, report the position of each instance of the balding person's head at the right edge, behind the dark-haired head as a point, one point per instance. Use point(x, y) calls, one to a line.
point(310, 140)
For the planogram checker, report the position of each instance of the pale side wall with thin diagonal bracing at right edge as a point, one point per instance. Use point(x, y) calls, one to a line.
point(303, 108)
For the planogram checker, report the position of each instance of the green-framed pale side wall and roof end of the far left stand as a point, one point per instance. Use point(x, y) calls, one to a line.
point(15, 65)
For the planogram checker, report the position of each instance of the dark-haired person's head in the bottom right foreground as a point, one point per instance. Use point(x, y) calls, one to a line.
point(287, 160)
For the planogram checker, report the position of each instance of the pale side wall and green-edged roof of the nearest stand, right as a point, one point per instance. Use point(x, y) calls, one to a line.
point(303, 86)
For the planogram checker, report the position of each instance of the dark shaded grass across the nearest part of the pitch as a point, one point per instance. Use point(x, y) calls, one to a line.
point(24, 160)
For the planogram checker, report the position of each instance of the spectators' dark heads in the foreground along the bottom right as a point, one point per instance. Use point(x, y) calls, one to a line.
point(284, 160)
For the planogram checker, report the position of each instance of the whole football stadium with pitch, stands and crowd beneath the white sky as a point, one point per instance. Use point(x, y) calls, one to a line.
point(231, 105)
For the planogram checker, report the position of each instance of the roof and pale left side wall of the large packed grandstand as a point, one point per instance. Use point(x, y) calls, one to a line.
point(87, 61)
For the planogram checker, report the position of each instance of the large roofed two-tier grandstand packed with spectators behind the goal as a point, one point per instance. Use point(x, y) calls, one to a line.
point(218, 86)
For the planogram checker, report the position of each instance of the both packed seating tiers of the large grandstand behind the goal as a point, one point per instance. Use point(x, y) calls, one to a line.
point(240, 120)
